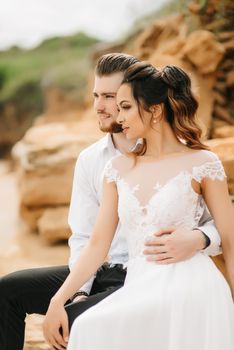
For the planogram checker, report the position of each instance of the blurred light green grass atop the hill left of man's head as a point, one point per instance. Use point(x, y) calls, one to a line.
point(19, 68)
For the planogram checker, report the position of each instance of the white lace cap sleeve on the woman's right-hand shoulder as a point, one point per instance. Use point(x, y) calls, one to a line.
point(212, 169)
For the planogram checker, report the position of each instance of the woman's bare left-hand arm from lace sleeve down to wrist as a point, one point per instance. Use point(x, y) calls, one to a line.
point(94, 254)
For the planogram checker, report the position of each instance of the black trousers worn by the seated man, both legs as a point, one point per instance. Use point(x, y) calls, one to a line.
point(29, 291)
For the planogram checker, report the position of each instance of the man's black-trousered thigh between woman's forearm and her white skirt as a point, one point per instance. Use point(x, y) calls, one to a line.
point(107, 281)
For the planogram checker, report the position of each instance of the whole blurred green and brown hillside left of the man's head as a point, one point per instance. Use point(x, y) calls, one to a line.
point(24, 74)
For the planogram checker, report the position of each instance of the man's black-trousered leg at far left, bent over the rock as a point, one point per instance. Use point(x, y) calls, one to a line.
point(25, 292)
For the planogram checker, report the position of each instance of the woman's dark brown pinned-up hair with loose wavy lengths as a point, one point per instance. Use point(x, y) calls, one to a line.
point(170, 87)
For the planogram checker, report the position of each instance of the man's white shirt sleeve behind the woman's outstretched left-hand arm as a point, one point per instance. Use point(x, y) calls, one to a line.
point(82, 213)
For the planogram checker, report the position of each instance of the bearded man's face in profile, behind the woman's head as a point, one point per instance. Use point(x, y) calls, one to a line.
point(104, 92)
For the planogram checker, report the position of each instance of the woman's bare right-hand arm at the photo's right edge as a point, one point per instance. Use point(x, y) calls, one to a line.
point(216, 196)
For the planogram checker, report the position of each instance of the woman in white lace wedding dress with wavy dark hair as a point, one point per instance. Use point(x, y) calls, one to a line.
point(168, 181)
